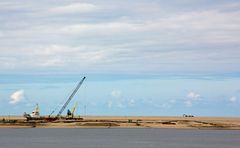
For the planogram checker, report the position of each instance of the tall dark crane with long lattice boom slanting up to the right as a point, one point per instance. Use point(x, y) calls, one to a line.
point(68, 100)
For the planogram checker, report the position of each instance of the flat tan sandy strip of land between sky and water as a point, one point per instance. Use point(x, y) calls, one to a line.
point(126, 122)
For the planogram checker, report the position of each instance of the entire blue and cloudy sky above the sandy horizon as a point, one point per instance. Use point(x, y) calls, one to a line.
point(140, 57)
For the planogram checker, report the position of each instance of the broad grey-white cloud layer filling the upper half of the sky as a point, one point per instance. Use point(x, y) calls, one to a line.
point(120, 36)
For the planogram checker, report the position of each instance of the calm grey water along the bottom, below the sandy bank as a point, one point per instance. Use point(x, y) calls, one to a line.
point(118, 138)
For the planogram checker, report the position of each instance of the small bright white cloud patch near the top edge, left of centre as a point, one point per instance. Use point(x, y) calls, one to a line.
point(74, 8)
